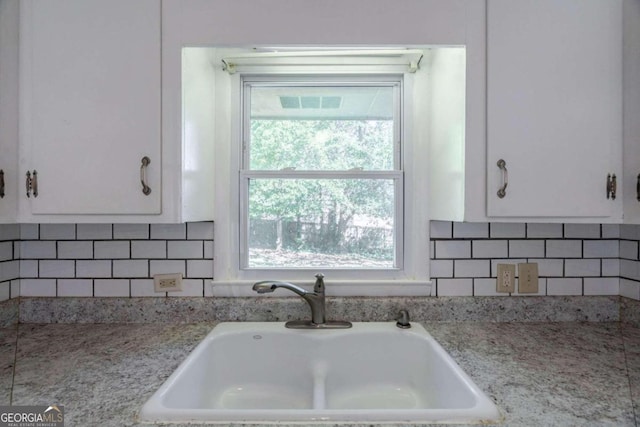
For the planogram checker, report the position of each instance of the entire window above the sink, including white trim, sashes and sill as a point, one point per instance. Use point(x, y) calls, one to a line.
point(321, 168)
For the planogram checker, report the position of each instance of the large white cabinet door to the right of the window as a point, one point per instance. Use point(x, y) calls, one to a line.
point(554, 106)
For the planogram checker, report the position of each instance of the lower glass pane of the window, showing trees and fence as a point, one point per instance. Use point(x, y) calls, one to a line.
point(328, 223)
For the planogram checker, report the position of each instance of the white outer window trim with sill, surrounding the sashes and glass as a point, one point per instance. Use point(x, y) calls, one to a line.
point(411, 278)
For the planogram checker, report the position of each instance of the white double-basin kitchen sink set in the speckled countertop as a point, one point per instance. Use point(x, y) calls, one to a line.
point(373, 372)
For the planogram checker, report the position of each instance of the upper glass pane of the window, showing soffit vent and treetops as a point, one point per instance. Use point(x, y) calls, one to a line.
point(322, 128)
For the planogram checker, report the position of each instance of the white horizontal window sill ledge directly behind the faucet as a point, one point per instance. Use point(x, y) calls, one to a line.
point(388, 288)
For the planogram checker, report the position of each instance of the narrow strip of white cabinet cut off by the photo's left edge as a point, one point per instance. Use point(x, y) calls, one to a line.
point(9, 10)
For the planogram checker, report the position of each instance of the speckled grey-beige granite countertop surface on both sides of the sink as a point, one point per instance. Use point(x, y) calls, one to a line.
point(539, 374)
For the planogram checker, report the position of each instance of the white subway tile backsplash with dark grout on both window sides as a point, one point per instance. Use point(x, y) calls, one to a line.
point(119, 260)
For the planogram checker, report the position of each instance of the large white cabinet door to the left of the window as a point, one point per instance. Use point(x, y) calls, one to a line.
point(90, 105)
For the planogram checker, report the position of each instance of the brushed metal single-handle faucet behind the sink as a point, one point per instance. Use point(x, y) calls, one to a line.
point(315, 299)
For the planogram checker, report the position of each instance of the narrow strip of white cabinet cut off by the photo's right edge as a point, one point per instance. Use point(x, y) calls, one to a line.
point(631, 94)
